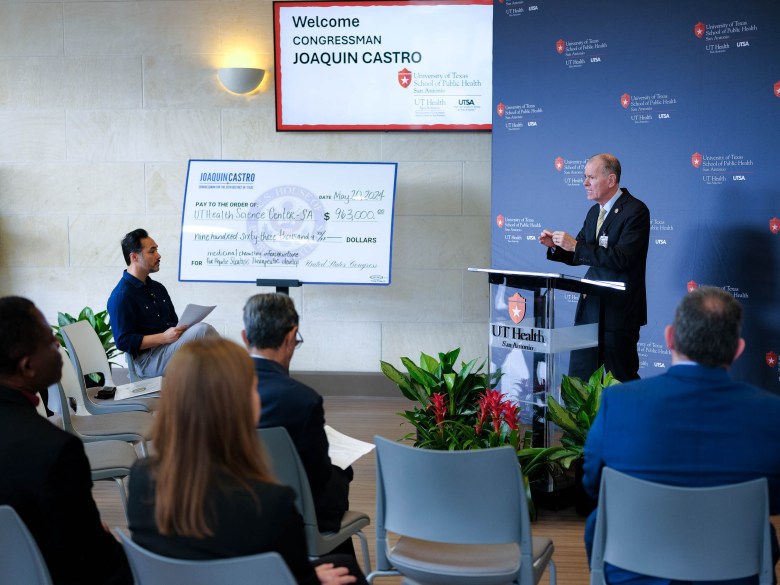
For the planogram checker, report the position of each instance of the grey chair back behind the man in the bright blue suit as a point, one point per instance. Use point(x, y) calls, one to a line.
point(682, 533)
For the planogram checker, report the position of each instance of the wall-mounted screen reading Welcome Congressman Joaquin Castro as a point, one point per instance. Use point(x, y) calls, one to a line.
point(383, 65)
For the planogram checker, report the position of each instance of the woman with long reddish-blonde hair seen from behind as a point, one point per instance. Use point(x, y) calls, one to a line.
point(208, 492)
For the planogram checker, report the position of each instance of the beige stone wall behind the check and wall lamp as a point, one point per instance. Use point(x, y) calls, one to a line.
point(103, 103)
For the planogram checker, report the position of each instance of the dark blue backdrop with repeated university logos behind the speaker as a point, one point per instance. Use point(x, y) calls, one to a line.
point(687, 96)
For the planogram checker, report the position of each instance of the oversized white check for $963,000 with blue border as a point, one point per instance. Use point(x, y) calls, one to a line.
point(314, 222)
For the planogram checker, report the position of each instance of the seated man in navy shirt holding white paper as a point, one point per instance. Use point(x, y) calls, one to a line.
point(143, 319)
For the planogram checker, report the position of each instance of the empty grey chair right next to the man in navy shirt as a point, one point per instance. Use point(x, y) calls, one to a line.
point(88, 356)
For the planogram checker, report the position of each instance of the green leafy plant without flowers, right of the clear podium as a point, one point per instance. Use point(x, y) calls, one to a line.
point(581, 402)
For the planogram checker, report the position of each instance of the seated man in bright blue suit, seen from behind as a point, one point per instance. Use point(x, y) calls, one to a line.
point(692, 426)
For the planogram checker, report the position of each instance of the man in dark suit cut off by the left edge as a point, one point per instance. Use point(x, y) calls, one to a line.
point(45, 473)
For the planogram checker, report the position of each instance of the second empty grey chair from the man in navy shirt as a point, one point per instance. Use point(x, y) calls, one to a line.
point(133, 427)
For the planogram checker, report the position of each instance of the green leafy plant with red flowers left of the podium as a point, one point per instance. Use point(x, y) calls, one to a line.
point(457, 409)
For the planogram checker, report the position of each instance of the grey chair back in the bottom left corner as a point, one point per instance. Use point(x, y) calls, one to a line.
point(20, 558)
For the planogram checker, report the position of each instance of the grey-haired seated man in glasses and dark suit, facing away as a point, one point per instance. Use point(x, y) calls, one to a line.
point(271, 335)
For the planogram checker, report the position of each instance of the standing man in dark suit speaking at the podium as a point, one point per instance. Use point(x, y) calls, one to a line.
point(613, 242)
